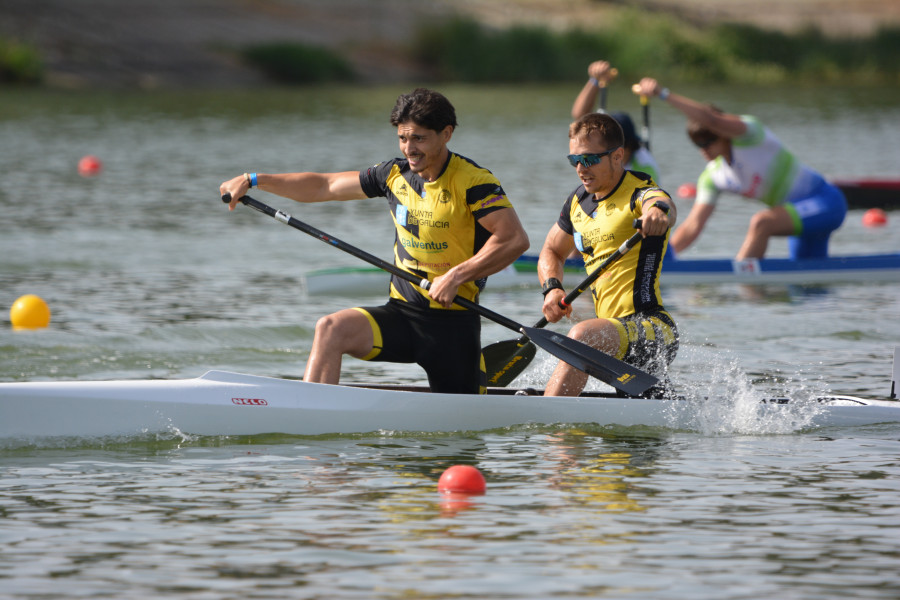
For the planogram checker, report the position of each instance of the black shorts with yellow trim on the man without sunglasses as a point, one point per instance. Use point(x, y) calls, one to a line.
point(446, 343)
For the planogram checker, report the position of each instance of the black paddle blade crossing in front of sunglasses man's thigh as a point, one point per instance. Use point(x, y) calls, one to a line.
point(608, 369)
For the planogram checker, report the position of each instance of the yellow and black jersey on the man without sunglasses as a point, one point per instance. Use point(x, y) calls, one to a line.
point(436, 221)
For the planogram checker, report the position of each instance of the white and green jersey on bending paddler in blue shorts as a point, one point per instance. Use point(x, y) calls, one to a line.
point(761, 168)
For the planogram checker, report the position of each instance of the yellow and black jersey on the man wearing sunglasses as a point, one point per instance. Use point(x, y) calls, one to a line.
point(631, 284)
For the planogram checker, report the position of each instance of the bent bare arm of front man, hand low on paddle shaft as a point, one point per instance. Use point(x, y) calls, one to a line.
point(506, 243)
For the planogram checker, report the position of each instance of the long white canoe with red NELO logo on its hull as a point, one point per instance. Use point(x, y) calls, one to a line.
point(225, 403)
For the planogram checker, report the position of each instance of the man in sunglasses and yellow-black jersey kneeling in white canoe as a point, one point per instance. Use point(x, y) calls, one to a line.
point(630, 321)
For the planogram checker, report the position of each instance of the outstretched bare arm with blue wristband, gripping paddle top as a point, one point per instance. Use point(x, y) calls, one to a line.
point(302, 187)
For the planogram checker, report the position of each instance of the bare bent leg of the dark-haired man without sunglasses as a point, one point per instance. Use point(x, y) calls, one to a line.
point(345, 332)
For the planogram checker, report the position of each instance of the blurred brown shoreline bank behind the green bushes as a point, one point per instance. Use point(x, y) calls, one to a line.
point(152, 44)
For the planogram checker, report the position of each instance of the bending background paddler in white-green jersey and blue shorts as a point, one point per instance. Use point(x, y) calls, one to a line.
point(746, 158)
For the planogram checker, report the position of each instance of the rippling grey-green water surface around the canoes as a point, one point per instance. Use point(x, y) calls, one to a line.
point(148, 276)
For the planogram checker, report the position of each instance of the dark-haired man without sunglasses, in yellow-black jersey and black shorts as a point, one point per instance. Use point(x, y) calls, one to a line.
point(454, 226)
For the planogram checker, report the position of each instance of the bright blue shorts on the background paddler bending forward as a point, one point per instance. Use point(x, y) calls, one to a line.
point(815, 217)
